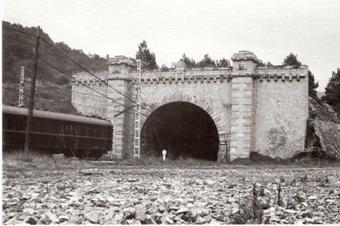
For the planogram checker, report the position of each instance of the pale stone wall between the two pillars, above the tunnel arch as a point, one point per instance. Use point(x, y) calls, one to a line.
point(213, 96)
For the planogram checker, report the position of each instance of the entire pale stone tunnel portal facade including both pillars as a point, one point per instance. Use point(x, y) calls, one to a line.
point(254, 109)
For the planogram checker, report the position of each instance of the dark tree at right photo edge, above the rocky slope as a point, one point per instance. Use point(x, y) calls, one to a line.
point(332, 94)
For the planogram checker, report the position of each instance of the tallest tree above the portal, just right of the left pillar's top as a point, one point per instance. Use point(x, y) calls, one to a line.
point(147, 57)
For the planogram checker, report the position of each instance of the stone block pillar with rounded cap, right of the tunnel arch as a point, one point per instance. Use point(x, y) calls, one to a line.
point(242, 109)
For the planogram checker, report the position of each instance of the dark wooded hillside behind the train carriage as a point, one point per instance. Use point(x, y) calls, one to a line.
point(53, 87)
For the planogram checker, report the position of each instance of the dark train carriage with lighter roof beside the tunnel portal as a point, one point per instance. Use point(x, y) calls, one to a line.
point(56, 133)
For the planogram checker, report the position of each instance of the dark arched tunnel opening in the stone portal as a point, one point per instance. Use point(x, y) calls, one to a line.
point(183, 129)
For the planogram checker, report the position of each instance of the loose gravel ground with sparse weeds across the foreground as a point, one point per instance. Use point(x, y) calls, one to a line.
point(170, 195)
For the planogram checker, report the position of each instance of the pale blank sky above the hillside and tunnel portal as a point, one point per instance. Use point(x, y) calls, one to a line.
point(270, 29)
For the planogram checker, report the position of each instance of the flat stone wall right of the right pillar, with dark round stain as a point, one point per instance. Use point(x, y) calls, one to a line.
point(281, 113)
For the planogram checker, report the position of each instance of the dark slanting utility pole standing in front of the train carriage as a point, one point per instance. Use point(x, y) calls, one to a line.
point(32, 93)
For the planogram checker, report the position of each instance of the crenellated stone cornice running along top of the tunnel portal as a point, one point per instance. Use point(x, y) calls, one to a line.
point(206, 75)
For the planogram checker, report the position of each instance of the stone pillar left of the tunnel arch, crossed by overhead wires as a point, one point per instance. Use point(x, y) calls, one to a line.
point(120, 78)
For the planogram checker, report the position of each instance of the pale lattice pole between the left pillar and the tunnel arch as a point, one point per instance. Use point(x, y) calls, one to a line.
point(136, 140)
